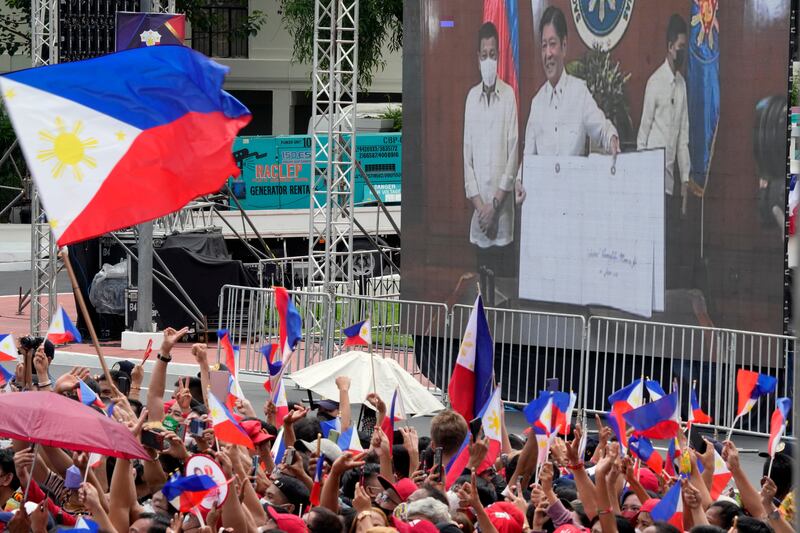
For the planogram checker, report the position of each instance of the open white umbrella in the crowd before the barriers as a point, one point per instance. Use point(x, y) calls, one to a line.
point(357, 365)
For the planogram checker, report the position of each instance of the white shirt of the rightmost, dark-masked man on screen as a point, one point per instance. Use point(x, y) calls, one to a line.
point(665, 122)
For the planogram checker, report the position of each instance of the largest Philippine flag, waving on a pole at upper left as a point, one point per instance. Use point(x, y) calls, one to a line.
point(123, 138)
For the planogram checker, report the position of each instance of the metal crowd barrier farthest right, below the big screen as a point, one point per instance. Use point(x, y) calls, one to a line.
point(617, 351)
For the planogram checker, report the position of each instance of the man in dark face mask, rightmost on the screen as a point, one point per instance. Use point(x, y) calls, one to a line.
point(665, 124)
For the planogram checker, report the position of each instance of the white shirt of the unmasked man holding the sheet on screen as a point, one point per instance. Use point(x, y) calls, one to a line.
point(563, 116)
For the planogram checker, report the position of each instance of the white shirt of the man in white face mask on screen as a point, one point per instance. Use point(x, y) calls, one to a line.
point(490, 156)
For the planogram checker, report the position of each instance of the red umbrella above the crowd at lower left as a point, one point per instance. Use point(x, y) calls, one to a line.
point(50, 419)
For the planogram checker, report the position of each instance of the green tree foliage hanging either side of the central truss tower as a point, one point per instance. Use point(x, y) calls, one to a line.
point(380, 24)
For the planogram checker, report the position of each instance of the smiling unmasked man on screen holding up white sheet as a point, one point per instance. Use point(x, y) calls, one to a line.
point(563, 112)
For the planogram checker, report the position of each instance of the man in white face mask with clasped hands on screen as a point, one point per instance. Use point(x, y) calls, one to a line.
point(490, 160)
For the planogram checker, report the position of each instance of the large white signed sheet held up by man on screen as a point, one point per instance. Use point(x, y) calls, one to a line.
point(592, 231)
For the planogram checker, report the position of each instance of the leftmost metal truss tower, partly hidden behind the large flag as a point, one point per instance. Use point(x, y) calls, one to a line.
point(44, 51)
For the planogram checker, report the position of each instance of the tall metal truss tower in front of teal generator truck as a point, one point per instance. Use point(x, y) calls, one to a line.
point(334, 86)
